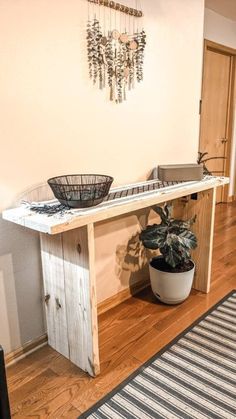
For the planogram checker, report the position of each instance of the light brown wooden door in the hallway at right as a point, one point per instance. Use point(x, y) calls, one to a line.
point(216, 112)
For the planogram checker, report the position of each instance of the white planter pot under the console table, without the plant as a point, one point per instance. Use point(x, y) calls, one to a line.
point(171, 288)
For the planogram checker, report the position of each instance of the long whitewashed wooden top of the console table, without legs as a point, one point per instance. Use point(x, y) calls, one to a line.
point(76, 218)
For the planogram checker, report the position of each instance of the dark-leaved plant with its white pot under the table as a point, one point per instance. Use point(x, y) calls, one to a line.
point(172, 272)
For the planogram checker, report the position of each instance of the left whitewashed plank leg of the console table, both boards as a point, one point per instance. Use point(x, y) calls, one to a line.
point(70, 293)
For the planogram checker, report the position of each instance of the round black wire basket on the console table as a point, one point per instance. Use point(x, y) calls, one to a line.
point(80, 191)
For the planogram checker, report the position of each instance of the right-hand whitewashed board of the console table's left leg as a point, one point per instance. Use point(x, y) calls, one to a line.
point(81, 300)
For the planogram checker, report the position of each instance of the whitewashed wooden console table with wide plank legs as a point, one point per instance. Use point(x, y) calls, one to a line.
point(68, 260)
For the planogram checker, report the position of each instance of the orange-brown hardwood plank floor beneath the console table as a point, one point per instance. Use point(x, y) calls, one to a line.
point(46, 385)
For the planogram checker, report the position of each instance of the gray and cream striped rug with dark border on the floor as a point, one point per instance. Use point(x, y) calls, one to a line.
point(193, 377)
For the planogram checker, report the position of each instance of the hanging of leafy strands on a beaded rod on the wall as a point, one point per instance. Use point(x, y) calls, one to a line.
point(116, 42)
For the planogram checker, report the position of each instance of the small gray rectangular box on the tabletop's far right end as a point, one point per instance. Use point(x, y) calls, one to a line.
point(180, 172)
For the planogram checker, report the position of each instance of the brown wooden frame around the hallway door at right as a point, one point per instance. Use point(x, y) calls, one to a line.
point(222, 49)
